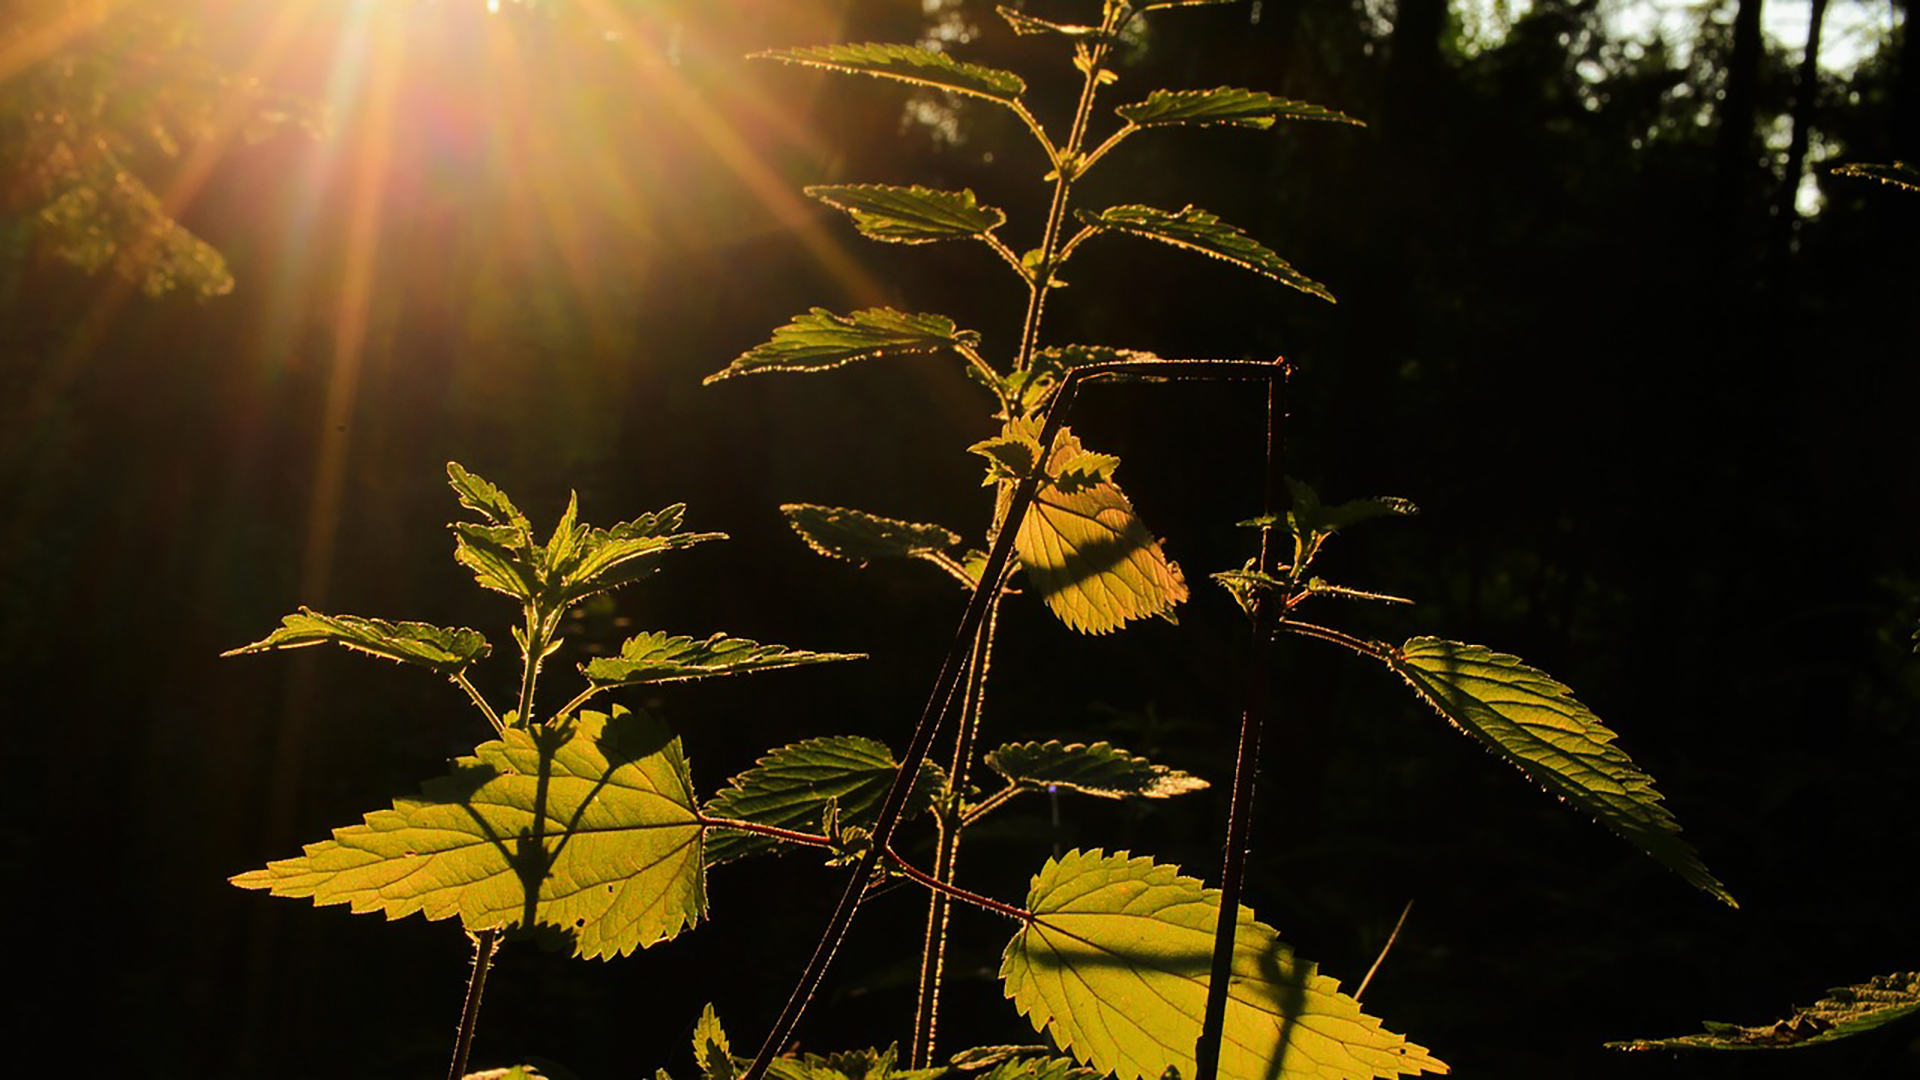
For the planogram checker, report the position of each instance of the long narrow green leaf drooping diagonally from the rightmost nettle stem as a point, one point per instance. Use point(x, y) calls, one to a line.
point(1537, 725)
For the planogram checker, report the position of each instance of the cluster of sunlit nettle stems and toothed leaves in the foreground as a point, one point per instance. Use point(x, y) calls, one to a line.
point(585, 827)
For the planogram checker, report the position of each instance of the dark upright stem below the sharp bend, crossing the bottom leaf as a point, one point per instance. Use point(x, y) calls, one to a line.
point(1247, 762)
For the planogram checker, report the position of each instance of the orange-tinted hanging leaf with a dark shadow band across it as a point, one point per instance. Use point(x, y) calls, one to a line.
point(1090, 556)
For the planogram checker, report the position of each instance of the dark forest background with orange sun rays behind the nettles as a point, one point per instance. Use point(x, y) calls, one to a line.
point(1662, 426)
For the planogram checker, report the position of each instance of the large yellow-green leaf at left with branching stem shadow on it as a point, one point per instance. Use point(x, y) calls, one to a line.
point(583, 829)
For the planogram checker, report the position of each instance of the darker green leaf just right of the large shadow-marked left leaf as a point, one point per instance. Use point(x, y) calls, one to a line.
point(792, 787)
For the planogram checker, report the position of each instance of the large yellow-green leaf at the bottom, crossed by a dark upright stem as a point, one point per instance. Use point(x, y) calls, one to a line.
point(1116, 966)
